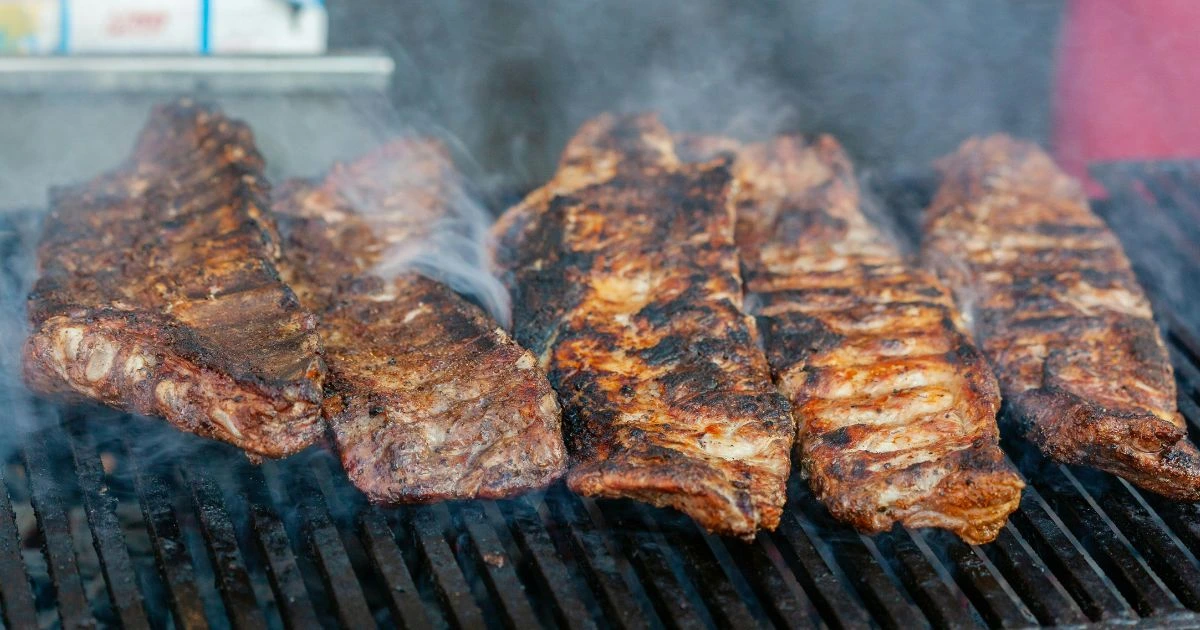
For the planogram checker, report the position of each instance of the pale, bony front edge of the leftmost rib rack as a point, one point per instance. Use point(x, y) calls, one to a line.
point(119, 359)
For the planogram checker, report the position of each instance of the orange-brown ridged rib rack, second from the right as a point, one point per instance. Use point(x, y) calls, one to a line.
point(896, 409)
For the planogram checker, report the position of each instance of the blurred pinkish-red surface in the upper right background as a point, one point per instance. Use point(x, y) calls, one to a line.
point(1129, 83)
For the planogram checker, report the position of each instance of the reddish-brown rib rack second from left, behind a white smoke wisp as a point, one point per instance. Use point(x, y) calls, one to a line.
point(429, 399)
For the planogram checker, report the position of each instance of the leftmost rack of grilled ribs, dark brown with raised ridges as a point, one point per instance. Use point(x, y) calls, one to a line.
point(159, 292)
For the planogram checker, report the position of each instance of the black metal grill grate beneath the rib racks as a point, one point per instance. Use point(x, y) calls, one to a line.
point(121, 521)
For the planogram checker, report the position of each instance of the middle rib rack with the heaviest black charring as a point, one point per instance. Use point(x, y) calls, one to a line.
point(626, 284)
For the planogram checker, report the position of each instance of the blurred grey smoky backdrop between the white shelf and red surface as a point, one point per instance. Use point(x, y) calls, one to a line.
point(899, 83)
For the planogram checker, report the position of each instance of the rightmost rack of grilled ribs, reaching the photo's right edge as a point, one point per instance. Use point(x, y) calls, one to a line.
point(1060, 315)
